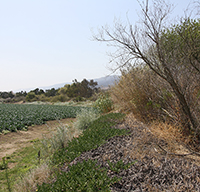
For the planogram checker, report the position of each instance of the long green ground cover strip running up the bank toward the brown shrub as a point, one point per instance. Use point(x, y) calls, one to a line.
point(95, 135)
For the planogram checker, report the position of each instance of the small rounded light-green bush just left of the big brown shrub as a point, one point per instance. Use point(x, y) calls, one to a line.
point(104, 103)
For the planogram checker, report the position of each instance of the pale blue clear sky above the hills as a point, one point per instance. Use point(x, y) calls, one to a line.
point(47, 42)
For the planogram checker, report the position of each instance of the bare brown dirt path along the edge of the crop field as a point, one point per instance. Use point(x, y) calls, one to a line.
point(14, 141)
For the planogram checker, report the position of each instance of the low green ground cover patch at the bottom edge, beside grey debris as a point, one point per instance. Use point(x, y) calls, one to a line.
point(85, 176)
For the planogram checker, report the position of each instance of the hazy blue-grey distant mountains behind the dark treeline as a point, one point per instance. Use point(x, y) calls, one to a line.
point(103, 82)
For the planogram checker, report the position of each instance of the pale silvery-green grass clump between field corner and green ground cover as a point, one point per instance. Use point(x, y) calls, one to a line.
point(85, 117)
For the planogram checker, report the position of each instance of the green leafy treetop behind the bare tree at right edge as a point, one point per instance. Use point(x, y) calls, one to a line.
point(183, 42)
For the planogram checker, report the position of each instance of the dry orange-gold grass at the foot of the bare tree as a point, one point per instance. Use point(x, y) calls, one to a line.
point(148, 139)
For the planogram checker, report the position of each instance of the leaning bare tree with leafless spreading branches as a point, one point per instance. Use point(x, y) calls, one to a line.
point(143, 44)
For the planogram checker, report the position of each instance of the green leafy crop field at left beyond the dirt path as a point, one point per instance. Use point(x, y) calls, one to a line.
point(17, 117)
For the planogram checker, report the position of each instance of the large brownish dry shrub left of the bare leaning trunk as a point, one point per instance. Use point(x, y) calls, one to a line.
point(146, 95)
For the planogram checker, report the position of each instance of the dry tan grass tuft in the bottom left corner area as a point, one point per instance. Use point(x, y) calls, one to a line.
point(36, 176)
